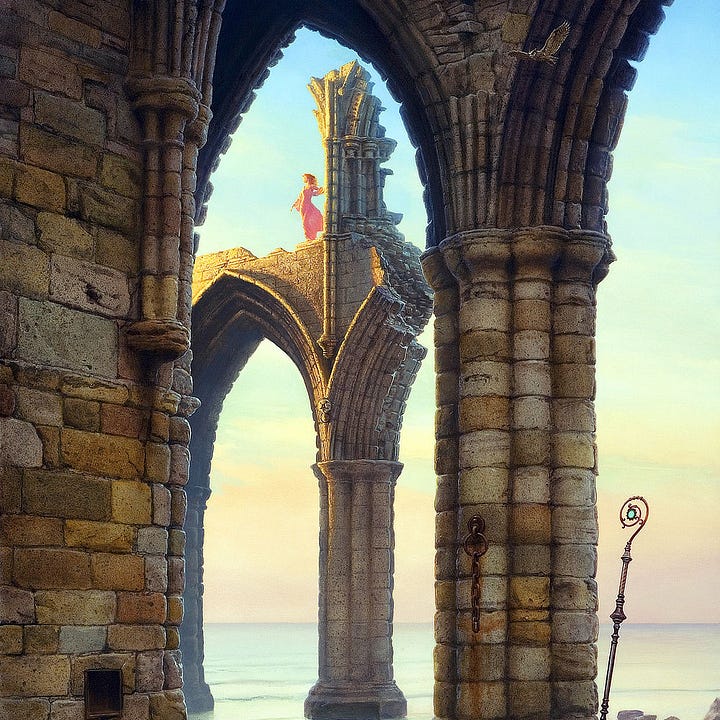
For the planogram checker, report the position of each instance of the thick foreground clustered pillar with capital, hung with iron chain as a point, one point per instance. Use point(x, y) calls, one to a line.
point(523, 450)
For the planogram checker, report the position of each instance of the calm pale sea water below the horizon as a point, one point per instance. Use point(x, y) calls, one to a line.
point(263, 672)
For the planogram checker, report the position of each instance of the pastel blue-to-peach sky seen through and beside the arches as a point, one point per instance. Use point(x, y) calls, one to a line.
point(658, 346)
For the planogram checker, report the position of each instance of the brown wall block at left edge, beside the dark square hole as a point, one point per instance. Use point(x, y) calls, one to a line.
point(34, 675)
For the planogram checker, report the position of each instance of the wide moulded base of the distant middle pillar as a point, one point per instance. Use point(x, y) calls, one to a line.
point(359, 701)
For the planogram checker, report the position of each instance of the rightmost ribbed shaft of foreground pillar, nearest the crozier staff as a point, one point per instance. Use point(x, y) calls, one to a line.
point(573, 597)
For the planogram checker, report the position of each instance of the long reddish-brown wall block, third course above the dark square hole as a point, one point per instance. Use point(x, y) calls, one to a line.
point(51, 568)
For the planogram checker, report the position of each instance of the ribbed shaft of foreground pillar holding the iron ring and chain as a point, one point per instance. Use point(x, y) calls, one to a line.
point(481, 263)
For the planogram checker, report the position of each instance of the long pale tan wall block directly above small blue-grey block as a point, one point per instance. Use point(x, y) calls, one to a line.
point(71, 607)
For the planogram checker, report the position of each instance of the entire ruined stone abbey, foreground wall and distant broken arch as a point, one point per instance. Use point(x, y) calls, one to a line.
point(117, 348)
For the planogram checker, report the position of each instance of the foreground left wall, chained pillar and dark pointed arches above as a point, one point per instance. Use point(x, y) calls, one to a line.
point(113, 115)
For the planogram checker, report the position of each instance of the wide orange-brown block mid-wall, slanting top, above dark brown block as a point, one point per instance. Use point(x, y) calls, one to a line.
point(110, 455)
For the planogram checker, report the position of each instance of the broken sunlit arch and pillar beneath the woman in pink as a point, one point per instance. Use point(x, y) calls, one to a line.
point(346, 308)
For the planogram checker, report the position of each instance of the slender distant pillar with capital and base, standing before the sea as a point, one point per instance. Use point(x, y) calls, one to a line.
point(356, 569)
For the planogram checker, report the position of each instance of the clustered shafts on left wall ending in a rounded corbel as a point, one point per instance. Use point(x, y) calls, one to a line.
point(170, 86)
